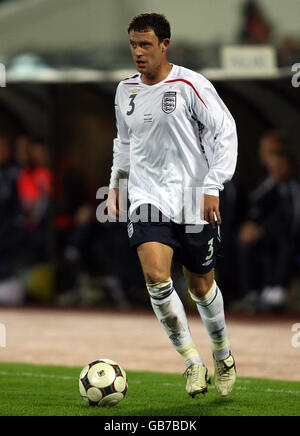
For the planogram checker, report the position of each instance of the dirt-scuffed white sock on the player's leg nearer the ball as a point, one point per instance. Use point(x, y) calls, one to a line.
point(170, 312)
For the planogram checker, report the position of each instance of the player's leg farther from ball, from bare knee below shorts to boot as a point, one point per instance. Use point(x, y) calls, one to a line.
point(208, 297)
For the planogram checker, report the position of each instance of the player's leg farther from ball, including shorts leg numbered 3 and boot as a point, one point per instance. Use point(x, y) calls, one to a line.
point(198, 254)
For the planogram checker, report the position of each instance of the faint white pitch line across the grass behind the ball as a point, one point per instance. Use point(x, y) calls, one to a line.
point(62, 377)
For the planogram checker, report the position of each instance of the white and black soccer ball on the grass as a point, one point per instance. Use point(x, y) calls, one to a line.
point(103, 383)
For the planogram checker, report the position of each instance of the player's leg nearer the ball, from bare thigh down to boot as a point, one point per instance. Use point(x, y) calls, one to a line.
point(156, 261)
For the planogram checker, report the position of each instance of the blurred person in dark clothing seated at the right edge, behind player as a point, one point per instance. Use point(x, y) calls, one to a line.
point(266, 239)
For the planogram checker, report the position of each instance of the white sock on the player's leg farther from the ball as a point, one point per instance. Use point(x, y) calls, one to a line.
point(211, 310)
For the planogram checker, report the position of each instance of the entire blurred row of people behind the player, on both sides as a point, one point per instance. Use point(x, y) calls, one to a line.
point(53, 249)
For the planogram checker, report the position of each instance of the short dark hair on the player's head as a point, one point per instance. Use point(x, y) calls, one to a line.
point(157, 22)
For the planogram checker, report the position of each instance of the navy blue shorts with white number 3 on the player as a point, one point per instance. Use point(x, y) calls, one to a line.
point(196, 251)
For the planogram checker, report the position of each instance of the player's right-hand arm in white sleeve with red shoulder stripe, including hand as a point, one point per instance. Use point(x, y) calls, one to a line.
point(212, 112)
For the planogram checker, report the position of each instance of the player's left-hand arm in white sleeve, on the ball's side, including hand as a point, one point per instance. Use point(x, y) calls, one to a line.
point(121, 163)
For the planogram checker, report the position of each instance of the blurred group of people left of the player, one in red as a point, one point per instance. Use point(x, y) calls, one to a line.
point(52, 248)
